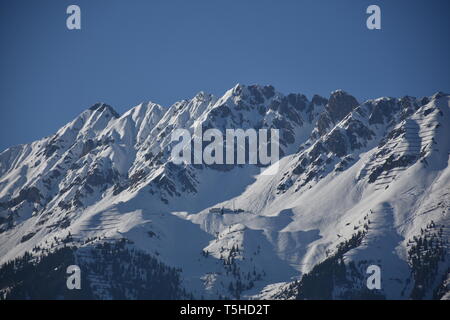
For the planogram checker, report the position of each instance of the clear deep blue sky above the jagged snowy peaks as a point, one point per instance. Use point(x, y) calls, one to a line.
point(130, 51)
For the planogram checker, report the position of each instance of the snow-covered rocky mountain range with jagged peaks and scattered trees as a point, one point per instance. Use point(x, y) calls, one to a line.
point(358, 184)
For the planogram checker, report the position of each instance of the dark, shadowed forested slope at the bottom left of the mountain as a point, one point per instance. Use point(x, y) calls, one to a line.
point(108, 271)
